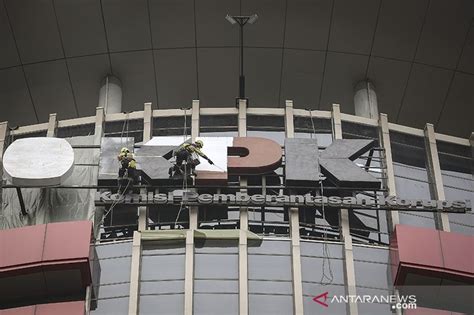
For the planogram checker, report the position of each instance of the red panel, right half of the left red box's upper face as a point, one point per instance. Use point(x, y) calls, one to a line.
point(67, 240)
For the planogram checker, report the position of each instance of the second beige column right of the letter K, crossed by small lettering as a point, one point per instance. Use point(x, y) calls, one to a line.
point(434, 176)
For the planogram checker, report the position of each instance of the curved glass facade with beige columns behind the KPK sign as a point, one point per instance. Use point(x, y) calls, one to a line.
point(230, 259)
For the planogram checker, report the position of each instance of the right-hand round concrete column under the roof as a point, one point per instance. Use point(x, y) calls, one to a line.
point(365, 100)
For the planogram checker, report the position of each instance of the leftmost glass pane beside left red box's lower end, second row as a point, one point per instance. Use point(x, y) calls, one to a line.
point(115, 270)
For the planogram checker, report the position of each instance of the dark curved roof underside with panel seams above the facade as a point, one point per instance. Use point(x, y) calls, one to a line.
point(419, 55)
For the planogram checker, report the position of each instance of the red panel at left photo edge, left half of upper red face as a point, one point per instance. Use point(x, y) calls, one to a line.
point(21, 246)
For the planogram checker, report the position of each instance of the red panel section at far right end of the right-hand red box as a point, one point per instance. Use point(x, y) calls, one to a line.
point(457, 252)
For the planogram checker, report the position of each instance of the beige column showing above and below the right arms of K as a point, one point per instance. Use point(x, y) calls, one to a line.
point(349, 272)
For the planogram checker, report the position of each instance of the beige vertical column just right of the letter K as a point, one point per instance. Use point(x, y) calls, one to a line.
point(389, 173)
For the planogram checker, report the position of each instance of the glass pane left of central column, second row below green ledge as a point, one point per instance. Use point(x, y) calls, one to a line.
point(216, 266)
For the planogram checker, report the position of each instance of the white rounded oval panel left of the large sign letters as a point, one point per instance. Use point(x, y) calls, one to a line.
point(38, 161)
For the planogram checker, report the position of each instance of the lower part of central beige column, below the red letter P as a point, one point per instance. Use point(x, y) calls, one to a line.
point(243, 255)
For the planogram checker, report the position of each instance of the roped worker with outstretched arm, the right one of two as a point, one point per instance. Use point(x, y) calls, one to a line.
point(189, 152)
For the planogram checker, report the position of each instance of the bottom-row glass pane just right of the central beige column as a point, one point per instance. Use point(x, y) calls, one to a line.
point(270, 304)
